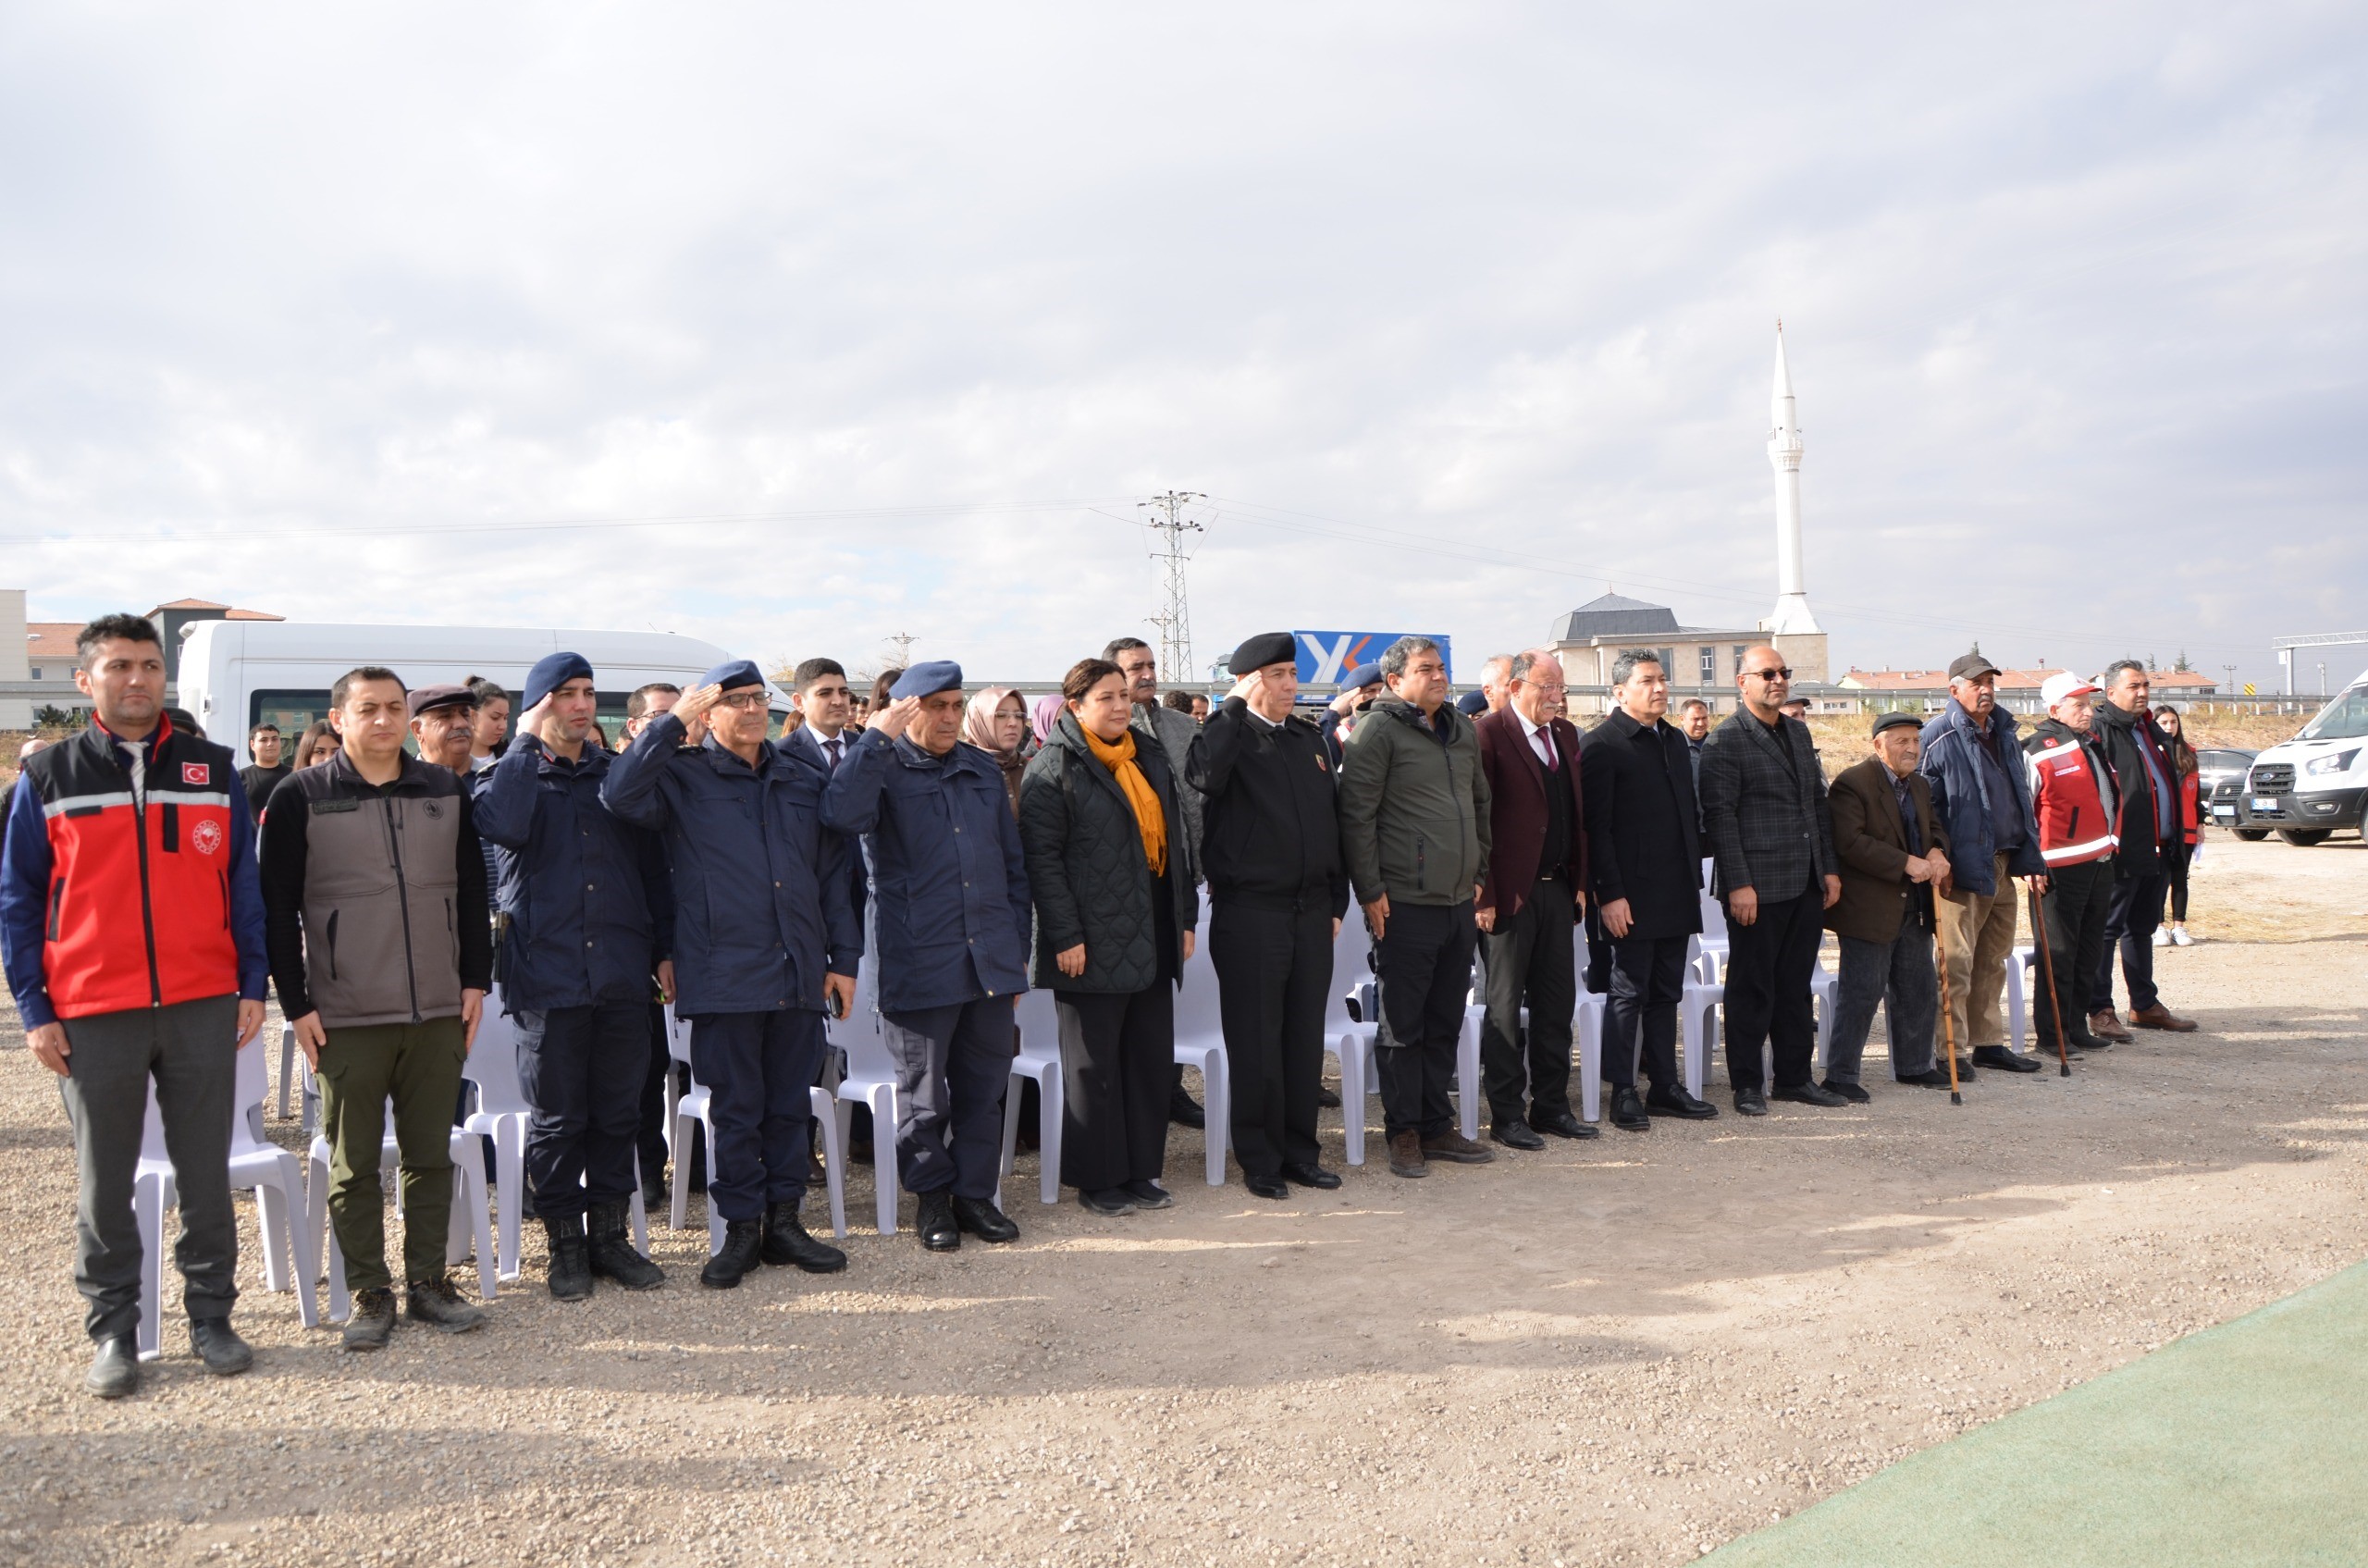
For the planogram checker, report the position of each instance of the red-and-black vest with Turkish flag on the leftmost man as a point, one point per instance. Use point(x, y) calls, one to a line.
point(139, 906)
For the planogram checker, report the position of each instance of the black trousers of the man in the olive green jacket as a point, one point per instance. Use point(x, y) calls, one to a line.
point(1427, 977)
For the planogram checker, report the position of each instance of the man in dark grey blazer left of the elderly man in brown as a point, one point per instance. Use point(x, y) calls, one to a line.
point(1772, 835)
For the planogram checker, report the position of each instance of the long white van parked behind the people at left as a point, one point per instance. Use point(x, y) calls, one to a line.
point(243, 674)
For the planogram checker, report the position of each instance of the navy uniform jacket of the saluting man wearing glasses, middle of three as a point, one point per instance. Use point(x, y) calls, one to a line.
point(761, 885)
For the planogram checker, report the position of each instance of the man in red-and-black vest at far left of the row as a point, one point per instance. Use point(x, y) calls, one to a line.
point(131, 923)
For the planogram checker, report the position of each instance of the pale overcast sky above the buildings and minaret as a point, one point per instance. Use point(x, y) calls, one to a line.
point(1460, 314)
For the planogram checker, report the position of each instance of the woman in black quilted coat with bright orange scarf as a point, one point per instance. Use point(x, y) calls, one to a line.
point(1114, 925)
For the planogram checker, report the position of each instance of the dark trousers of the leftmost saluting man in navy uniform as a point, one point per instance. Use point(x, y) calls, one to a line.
point(581, 1069)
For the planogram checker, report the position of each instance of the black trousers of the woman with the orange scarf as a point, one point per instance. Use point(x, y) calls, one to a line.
point(1114, 1086)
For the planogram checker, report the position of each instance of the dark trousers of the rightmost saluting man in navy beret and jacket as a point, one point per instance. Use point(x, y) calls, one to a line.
point(953, 1072)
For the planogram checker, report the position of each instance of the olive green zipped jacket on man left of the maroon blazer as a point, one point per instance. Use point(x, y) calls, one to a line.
point(1415, 807)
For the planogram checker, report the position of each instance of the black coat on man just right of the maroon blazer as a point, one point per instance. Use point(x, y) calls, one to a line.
point(1642, 840)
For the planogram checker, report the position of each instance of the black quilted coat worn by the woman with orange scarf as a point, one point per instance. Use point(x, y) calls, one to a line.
point(1086, 868)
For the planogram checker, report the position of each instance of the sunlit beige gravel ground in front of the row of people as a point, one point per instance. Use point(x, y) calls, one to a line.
point(1609, 1354)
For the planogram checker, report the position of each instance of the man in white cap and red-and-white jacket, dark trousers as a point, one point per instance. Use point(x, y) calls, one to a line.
point(2076, 802)
